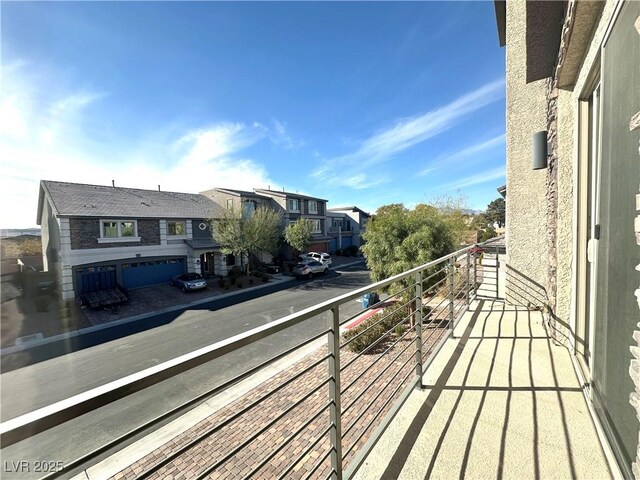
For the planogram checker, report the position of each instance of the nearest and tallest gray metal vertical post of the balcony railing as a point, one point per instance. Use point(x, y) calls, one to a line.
point(335, 409)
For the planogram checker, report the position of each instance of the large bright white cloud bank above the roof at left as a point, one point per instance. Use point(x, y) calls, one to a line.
point(49, 139)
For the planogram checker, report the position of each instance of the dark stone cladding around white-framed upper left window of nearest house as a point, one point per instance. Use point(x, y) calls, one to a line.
point(84, 233)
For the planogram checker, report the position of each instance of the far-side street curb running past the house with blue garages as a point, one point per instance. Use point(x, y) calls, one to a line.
point(142, 316)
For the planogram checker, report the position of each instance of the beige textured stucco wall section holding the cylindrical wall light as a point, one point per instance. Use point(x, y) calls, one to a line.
point(526, 204)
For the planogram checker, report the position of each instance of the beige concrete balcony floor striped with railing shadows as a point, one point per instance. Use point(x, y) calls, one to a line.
point(500, 401)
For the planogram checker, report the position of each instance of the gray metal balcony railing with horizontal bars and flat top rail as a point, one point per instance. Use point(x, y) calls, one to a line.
point(342, 397)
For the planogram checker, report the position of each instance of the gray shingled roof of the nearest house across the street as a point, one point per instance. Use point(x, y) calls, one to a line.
point(75, 199)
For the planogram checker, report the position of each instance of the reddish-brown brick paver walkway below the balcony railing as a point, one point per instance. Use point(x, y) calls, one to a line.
point(277, 451)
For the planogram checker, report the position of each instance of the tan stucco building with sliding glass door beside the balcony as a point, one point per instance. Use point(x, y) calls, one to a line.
point(573, 174)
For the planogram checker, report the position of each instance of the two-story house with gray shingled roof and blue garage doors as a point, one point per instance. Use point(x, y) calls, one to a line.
point(143, 237)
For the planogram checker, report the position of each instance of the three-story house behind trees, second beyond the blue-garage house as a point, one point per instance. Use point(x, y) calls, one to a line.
point(294, 206)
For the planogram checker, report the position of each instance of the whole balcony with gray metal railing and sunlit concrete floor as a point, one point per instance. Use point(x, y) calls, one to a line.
point(462, 384)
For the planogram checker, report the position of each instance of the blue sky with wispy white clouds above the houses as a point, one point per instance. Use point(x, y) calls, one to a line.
point(360, 103)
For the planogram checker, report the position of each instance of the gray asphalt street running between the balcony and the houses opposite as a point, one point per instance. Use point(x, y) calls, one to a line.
point(171, 335)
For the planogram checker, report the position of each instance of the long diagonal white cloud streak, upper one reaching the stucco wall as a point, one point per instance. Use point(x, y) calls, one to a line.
point(406, 133)
